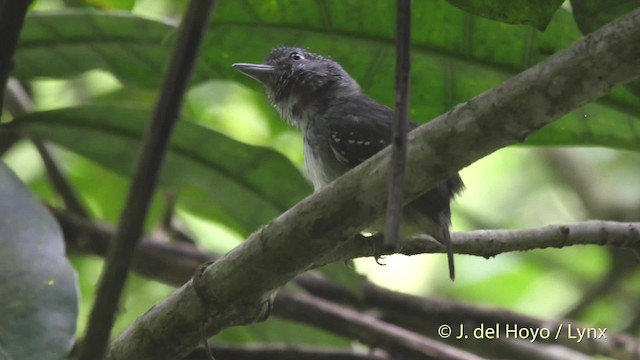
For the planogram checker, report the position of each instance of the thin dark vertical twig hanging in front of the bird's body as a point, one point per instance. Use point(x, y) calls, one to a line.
point(399, 129)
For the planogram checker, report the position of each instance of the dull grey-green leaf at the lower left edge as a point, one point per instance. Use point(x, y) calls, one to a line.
point(38, 290)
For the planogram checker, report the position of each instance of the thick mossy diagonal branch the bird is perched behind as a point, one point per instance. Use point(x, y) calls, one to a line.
point(277, 253)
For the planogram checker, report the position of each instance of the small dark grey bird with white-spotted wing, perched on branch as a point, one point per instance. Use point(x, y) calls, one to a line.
point(342, 127)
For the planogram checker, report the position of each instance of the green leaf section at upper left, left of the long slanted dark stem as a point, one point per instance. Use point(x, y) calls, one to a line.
point(68, 42)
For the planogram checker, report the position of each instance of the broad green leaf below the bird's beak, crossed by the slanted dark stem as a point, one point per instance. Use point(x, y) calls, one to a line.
point(221, 179)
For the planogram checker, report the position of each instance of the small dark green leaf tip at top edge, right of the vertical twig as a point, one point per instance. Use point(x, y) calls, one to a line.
point(536, 13)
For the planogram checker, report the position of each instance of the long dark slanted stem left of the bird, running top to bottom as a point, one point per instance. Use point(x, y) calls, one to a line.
point(156, 141)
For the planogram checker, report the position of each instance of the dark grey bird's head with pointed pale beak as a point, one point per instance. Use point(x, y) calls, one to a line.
point(299, 83)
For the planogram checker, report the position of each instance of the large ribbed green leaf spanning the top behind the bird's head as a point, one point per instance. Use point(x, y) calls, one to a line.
point(456, 56)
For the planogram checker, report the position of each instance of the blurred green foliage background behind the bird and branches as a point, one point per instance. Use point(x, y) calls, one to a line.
point(94, 75)
